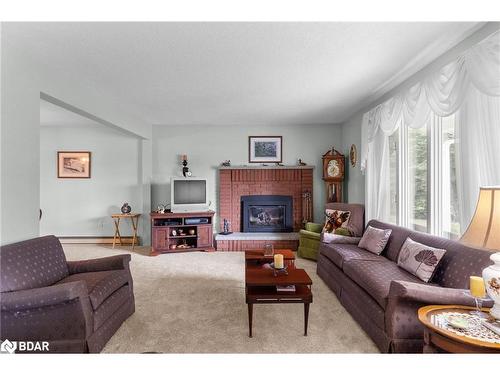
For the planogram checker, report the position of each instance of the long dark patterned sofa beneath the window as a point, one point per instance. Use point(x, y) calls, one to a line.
point(383, 298)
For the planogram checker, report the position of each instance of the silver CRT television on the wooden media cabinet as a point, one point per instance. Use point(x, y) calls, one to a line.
point(188, 194)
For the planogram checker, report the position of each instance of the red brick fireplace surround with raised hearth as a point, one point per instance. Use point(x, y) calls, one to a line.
point(238, 182)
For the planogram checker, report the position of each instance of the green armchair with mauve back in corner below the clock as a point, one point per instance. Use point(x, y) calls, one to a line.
point(310, 237)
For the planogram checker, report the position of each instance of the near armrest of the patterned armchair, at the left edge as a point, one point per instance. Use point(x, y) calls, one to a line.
point(46, 296)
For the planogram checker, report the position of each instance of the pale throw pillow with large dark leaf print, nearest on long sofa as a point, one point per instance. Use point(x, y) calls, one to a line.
point(419, 259)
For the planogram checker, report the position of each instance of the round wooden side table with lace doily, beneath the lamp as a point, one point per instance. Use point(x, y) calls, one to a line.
point(438, 339)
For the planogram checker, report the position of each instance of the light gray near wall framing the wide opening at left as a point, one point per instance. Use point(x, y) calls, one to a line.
point(23, 80)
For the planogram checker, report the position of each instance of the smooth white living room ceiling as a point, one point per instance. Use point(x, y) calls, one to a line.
point(240, 73)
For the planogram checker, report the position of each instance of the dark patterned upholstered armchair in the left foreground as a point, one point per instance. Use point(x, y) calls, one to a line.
point(74, 305)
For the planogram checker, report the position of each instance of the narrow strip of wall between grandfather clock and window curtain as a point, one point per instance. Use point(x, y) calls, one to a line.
point(355, 180)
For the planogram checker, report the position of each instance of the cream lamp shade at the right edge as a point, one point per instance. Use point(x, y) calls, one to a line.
point(484, 229)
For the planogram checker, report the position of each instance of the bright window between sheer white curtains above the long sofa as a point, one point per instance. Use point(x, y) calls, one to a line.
point(423, 184)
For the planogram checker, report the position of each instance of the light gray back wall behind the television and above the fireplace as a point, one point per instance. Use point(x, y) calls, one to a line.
point(208, 146)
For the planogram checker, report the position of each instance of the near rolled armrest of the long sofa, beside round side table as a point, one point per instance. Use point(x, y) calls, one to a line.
point(429, 294)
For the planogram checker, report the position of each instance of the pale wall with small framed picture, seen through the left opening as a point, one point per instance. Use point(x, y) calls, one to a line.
point(82, 207)
